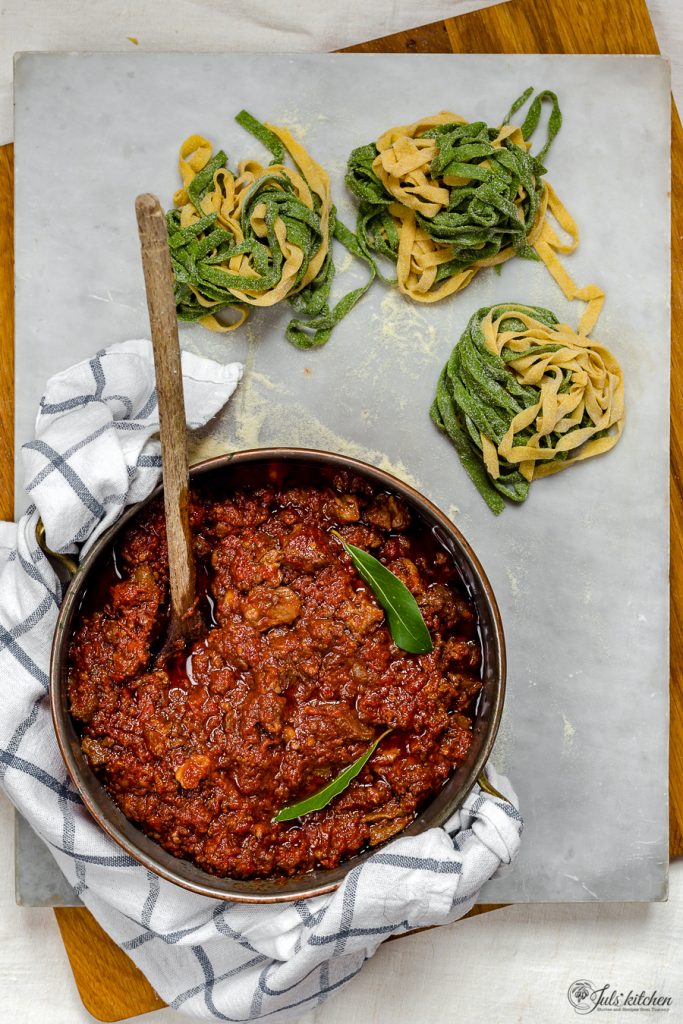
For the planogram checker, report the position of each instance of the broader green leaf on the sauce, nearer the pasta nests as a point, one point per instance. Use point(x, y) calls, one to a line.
point(407, 626)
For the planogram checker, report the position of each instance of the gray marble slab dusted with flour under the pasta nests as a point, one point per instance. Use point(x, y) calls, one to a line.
point(581, 571)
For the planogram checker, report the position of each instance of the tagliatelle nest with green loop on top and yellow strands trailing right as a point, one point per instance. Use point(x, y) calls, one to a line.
point(444, 199)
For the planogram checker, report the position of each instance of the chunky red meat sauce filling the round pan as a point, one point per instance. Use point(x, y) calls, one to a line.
point(295, 677)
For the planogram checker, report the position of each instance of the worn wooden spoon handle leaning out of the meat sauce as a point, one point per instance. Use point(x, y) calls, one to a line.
point(164, 325)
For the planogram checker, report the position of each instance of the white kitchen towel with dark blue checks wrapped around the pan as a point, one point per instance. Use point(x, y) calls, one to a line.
point(94, 454)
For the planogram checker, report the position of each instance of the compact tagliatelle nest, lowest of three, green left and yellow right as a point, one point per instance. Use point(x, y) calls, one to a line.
point(525, 397)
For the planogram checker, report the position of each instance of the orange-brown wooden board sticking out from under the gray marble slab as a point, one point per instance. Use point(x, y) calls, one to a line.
point(111, 987)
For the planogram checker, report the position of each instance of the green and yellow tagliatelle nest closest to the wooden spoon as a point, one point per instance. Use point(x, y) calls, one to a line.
point(257, 238)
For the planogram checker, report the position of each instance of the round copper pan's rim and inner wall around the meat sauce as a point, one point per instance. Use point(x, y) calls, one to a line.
point(450, 798)
